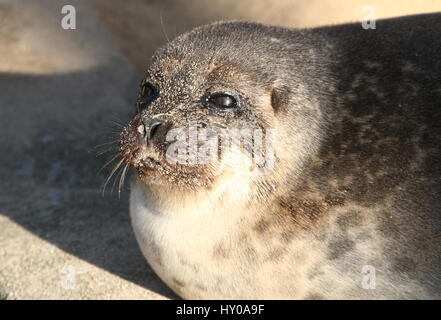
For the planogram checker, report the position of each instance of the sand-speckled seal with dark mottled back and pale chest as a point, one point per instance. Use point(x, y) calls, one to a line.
point(275, 163)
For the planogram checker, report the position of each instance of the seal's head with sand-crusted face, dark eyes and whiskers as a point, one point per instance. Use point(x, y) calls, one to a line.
point(209, 83)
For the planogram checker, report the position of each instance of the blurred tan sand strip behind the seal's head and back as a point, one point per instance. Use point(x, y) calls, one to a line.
point(138, 29)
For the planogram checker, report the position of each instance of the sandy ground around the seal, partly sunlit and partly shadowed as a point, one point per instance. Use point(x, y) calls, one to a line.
point(60, 93)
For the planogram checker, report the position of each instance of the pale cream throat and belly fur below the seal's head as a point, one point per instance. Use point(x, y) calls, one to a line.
point(203, 251)
